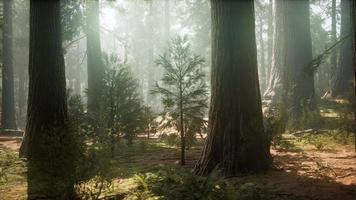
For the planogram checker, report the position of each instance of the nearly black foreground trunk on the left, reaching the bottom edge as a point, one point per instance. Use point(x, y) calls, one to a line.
point(50, 164)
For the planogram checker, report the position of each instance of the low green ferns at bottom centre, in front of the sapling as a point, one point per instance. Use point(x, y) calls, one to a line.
point(176, 183)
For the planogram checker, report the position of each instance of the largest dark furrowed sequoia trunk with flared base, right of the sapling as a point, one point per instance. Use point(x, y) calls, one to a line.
point(236, 141)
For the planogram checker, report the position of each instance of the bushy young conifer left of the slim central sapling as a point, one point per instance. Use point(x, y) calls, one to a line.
point(122, 104)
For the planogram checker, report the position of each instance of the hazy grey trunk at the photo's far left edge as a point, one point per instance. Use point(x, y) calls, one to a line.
point(8, 120)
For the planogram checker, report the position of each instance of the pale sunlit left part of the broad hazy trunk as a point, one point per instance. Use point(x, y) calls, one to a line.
point(275, 90)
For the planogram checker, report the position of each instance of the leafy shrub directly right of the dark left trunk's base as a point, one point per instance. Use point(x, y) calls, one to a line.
point(92, 153)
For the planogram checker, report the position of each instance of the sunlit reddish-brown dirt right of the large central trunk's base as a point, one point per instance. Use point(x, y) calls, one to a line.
point(313, 175)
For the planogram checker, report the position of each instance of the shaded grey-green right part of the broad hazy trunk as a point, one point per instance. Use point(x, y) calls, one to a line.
point(298, 54)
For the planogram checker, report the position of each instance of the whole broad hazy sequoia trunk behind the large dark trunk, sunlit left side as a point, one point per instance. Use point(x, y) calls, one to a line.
point(292, 80)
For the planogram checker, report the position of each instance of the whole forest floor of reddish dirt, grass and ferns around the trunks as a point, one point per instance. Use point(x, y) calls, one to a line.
point(308, 164)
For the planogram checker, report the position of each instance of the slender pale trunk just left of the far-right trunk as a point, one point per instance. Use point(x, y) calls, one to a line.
point(333, 57)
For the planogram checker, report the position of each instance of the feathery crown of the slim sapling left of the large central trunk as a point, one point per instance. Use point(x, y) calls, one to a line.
point(182, 88)
